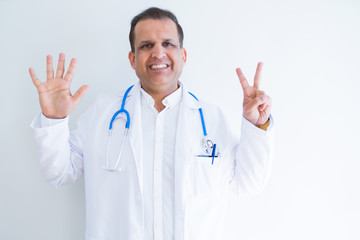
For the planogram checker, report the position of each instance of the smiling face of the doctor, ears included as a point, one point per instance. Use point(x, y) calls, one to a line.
point(158, 59)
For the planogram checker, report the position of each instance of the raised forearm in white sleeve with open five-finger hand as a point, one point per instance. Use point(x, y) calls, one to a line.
point(60, 153)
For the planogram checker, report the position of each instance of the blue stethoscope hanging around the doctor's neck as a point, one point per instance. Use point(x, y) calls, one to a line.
point(206, 144)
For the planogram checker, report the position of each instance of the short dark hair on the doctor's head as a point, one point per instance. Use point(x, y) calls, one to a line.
point(154, 13)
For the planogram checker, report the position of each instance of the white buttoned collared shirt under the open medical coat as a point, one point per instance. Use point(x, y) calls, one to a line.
point(159, 133)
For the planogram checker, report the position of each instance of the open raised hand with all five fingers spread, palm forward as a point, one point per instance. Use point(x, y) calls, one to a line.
point(55, 97)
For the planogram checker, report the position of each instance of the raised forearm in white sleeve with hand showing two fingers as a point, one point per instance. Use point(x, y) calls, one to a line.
point(253, 153)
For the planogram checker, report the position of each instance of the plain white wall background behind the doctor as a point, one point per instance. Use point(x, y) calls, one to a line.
point(310, 51)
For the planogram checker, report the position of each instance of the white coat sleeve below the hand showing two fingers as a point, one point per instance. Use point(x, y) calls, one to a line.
point(253, 156)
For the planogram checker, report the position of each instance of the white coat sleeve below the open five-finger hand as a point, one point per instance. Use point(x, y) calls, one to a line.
point(61, 152)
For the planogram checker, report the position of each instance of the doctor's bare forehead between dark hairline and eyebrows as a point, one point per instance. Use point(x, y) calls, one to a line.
point(154, 29)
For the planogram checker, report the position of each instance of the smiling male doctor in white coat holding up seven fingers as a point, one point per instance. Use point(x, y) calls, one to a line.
point(166, 184)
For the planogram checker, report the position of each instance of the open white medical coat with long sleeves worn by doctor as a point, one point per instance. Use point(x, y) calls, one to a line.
point(114, 201)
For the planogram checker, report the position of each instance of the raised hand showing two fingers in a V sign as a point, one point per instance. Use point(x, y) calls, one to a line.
point(256, 104)
